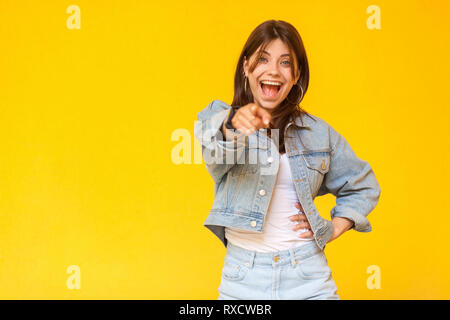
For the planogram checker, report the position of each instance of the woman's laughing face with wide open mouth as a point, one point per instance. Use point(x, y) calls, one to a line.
point(274, 65)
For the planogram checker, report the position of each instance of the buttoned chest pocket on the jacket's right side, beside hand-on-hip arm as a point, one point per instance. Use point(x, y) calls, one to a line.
point(318, 164)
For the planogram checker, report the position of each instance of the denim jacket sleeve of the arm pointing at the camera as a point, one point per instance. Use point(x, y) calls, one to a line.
point(219, 154)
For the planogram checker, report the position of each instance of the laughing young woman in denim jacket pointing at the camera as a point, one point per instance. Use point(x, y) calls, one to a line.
point(263, 209)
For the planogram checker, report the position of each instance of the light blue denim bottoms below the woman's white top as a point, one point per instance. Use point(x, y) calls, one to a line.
point(299, 273)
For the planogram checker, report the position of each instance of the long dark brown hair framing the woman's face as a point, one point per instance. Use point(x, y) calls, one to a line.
point(290, 106)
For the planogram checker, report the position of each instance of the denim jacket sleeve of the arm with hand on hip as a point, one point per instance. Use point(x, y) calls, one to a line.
point(352, 181)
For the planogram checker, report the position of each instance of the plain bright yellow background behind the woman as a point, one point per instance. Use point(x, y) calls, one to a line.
point(86, 118)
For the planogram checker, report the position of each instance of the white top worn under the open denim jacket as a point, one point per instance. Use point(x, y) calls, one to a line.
point(277, 233)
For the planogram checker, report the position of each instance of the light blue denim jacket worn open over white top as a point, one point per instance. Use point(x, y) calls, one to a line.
point(244, 172)
